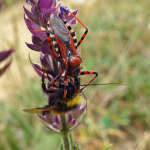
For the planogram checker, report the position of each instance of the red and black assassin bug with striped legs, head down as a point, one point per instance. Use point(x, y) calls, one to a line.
point(63, 47)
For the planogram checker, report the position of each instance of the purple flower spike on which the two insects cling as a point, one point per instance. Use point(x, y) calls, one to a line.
point(36, 19)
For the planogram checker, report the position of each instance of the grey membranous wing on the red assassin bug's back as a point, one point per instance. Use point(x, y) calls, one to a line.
point(60, 29)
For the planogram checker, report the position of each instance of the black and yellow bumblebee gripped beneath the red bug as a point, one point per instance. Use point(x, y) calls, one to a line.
point(56, 103)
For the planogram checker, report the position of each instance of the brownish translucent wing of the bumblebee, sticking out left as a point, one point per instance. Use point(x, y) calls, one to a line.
point(36, 110)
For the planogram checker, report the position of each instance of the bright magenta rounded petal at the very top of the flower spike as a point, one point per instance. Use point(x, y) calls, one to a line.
point(44, 4)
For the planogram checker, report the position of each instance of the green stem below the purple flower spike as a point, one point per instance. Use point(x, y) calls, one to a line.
point(65, 134)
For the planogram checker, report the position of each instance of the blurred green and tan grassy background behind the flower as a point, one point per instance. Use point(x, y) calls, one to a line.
point(117, 46)
